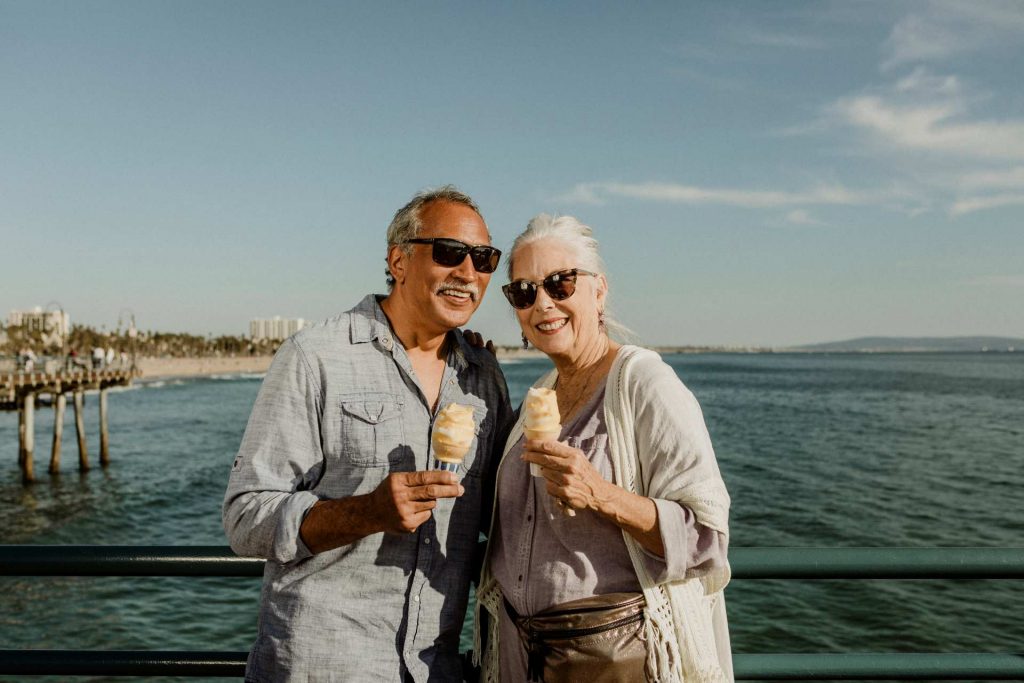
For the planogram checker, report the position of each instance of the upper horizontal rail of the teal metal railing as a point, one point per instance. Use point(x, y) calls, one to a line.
point(807, 564)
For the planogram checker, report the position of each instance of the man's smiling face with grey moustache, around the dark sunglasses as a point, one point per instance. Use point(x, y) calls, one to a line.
point(445, 297)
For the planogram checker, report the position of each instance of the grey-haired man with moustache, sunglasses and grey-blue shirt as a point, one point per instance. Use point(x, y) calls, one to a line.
point(370, 550)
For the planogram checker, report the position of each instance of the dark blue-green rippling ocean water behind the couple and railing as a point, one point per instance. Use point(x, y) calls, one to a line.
point(817, 450)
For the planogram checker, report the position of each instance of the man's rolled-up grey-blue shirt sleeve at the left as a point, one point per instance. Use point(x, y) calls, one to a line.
point(280, 459)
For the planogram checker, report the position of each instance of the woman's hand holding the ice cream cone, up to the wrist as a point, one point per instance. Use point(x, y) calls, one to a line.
point(571, 478)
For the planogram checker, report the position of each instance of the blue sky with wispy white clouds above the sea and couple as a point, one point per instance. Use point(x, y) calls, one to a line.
point(757, 174)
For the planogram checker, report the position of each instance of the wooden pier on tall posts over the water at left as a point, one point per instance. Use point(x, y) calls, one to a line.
point(22, 392)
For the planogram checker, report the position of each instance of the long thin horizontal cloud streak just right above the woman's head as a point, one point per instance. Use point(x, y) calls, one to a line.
point(680, 194)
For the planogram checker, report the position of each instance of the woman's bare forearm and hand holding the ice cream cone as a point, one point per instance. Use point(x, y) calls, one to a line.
point(575, 484)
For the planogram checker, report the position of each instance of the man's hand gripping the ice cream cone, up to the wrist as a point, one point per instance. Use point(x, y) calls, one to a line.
point(404, 500)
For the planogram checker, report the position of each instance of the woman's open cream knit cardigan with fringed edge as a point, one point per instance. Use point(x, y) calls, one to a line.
point(660, 448)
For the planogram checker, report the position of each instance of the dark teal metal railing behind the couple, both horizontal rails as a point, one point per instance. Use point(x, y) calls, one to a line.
point(748, 564)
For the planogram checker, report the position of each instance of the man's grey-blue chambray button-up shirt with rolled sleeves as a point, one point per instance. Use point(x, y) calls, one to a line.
point(340, 409)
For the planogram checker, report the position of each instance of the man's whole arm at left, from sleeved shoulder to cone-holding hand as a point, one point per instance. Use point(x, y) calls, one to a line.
point(269, 509)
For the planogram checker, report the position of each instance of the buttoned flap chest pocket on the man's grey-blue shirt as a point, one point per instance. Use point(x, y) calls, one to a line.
point(372, 432)
